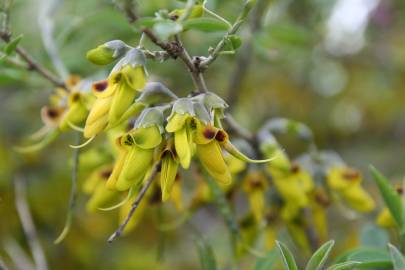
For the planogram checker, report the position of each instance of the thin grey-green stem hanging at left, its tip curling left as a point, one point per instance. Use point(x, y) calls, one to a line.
point(73, 192)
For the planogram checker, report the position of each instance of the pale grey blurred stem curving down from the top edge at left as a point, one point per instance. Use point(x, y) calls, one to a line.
point(46, 24)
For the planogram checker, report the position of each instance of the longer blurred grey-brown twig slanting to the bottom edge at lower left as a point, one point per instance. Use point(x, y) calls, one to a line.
point(28, 225)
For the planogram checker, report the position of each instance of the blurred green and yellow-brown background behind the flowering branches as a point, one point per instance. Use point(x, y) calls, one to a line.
point(338, 66)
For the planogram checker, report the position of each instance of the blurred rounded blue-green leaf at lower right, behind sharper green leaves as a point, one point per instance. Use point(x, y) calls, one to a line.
point(373, 236)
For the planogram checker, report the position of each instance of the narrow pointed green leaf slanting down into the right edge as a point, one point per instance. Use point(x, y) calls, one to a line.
point(391, 198)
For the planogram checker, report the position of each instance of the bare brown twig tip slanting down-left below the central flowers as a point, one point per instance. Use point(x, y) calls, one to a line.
point(135, 204)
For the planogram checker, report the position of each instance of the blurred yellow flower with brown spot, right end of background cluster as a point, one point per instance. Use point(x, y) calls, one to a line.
point(346, 182)
